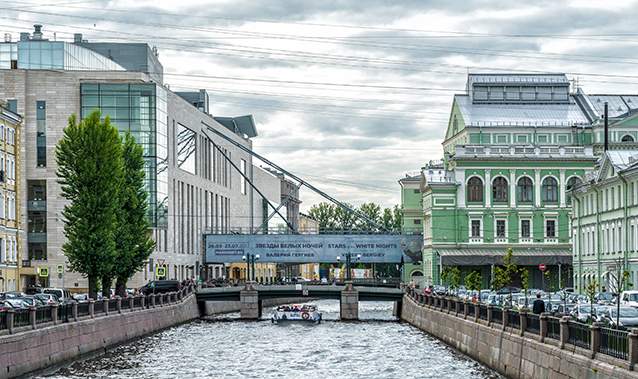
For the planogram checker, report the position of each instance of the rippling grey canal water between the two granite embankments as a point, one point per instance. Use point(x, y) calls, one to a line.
point(380, 347)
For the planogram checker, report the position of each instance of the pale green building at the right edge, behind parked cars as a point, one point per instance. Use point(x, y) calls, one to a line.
point(605, 221)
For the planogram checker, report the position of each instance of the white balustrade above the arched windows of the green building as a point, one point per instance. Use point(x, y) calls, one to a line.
point(525, 151)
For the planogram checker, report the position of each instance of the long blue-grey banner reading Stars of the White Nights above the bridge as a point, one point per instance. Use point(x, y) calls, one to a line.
point(313, 248)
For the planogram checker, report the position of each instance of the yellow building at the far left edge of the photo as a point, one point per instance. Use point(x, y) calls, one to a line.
point(10, 234)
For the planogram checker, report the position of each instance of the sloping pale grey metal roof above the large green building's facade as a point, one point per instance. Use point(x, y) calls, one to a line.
point(566, 114)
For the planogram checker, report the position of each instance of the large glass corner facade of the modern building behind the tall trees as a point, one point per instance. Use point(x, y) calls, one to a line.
point(140, 109)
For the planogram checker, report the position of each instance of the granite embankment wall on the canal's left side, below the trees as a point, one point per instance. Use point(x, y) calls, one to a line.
point(32, 350)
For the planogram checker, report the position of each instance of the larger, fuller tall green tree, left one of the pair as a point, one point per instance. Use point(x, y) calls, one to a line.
point(90, 171)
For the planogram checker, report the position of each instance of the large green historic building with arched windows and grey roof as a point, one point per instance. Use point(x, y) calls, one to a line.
point(514, 147)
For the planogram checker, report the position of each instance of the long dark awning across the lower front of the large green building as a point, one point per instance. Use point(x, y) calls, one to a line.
point(525, 257)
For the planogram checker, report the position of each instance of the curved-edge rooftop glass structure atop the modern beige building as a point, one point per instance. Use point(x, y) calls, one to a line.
point(58, 55)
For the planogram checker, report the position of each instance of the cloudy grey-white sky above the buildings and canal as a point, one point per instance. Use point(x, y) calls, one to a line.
point(352, 94)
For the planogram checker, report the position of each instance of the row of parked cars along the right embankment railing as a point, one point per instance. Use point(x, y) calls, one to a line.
point(562, 303)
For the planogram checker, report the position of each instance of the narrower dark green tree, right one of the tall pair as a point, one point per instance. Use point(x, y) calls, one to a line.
point(133, 244)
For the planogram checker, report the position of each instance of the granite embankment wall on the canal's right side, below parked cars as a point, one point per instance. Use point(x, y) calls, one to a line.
point(505, 350)
